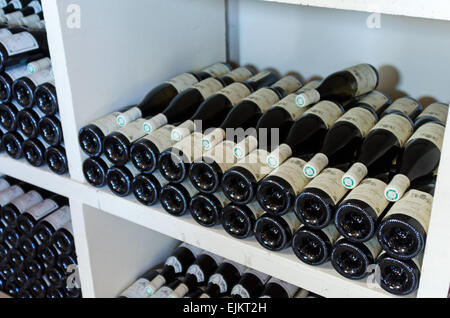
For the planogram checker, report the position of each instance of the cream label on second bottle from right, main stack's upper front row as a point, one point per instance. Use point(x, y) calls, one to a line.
point(370, 191)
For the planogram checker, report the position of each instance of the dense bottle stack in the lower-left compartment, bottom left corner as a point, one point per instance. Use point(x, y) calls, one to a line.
point(37, 249)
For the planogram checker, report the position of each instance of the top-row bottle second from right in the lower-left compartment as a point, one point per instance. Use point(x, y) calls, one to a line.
point(29, 219)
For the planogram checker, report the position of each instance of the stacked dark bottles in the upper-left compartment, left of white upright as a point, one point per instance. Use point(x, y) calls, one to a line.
point(30, 125)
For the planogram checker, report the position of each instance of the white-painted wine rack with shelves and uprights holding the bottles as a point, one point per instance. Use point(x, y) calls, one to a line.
point(119, 50)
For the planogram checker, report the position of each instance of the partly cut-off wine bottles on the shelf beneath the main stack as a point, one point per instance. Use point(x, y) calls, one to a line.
point(192, 273)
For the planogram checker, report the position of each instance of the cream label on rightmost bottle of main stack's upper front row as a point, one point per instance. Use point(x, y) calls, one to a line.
point(415, 204)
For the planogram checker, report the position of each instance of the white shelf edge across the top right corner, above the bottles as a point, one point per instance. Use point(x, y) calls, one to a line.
point(436, 9)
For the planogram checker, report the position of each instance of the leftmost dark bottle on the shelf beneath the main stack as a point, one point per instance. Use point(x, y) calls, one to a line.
point(175, 266)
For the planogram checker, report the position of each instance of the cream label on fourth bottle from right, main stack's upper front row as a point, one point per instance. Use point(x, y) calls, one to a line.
point(292, 172)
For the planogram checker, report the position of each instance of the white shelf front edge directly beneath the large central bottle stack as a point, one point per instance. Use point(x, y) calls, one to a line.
point(321, 280)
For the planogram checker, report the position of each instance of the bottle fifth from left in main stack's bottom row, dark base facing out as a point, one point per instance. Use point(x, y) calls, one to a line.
point(206, 209)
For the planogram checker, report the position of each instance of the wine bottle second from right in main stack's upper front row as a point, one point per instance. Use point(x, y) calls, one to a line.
point(358, 216)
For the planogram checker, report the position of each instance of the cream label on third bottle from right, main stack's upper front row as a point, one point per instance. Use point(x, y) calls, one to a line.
point(329, 181)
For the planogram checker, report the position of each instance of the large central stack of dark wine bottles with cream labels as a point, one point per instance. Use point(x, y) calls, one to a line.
point(275, 159)
